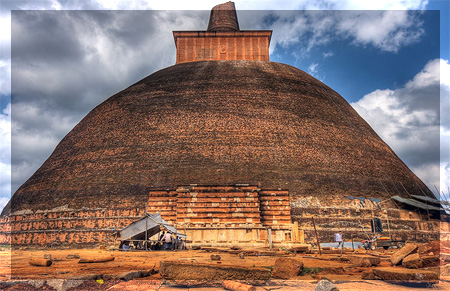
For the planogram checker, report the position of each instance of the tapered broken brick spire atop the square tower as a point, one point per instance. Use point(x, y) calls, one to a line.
point(223, 17)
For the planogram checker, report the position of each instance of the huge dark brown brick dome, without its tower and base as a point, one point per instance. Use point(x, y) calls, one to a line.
point(218, 122)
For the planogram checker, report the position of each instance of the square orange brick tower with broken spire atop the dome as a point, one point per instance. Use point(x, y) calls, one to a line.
point(223, 40)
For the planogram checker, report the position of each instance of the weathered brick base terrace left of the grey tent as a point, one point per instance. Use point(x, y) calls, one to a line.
point(87, 226)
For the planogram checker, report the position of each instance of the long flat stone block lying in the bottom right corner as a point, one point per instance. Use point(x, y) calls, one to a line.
point(405, 275)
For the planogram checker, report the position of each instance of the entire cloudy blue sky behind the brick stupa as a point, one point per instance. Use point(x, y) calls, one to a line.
point(389, 59)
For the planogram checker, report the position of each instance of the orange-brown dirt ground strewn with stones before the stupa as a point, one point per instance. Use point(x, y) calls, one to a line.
point(15, 267)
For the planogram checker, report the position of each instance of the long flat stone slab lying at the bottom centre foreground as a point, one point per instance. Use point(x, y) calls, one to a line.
point(181, 270)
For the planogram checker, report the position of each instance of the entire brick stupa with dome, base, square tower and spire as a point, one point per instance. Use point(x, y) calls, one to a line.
point(226, 145)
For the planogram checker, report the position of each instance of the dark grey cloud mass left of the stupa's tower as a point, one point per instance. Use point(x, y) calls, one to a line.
point(64, 63)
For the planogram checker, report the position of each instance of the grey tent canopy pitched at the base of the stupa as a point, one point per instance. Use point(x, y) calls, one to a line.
point(152, 223)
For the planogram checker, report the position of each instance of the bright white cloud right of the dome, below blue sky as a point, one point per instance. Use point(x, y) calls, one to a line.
point(408, 120)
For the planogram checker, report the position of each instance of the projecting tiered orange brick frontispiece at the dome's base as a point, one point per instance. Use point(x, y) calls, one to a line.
point(221, 205)
